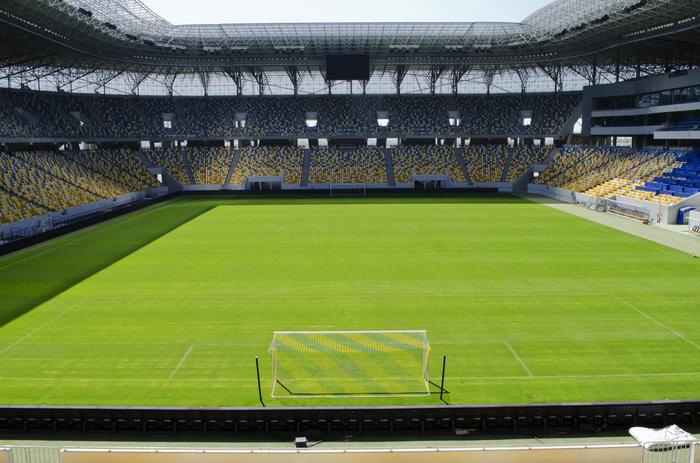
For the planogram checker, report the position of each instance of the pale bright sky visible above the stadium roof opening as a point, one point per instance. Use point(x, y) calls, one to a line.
point(237, 11)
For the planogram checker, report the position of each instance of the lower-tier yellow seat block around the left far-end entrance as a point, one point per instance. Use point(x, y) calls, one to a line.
point(269, 161)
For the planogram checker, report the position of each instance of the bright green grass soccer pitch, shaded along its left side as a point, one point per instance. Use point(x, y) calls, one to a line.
point(170, 305)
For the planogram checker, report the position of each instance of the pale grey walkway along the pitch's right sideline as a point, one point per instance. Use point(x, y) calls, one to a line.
point(659, 234)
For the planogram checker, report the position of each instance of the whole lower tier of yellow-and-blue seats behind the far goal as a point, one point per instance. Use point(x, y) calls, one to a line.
point(365, 164)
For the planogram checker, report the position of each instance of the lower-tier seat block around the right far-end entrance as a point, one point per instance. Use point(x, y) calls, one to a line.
point(410, 160)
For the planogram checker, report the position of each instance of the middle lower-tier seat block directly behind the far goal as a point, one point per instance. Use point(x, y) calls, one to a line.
point(337, 165)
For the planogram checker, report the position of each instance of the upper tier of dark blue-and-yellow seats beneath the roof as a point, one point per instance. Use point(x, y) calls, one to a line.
point(50, 115)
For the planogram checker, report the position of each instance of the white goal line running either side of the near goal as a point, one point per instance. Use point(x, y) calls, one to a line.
point(461, 378)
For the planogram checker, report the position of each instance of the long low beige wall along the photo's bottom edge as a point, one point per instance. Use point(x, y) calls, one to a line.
point(620, 453)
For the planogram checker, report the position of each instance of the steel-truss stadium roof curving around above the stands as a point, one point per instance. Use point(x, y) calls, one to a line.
point(126, 36)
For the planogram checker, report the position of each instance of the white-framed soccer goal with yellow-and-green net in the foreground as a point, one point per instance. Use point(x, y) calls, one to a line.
point(349, 363)
